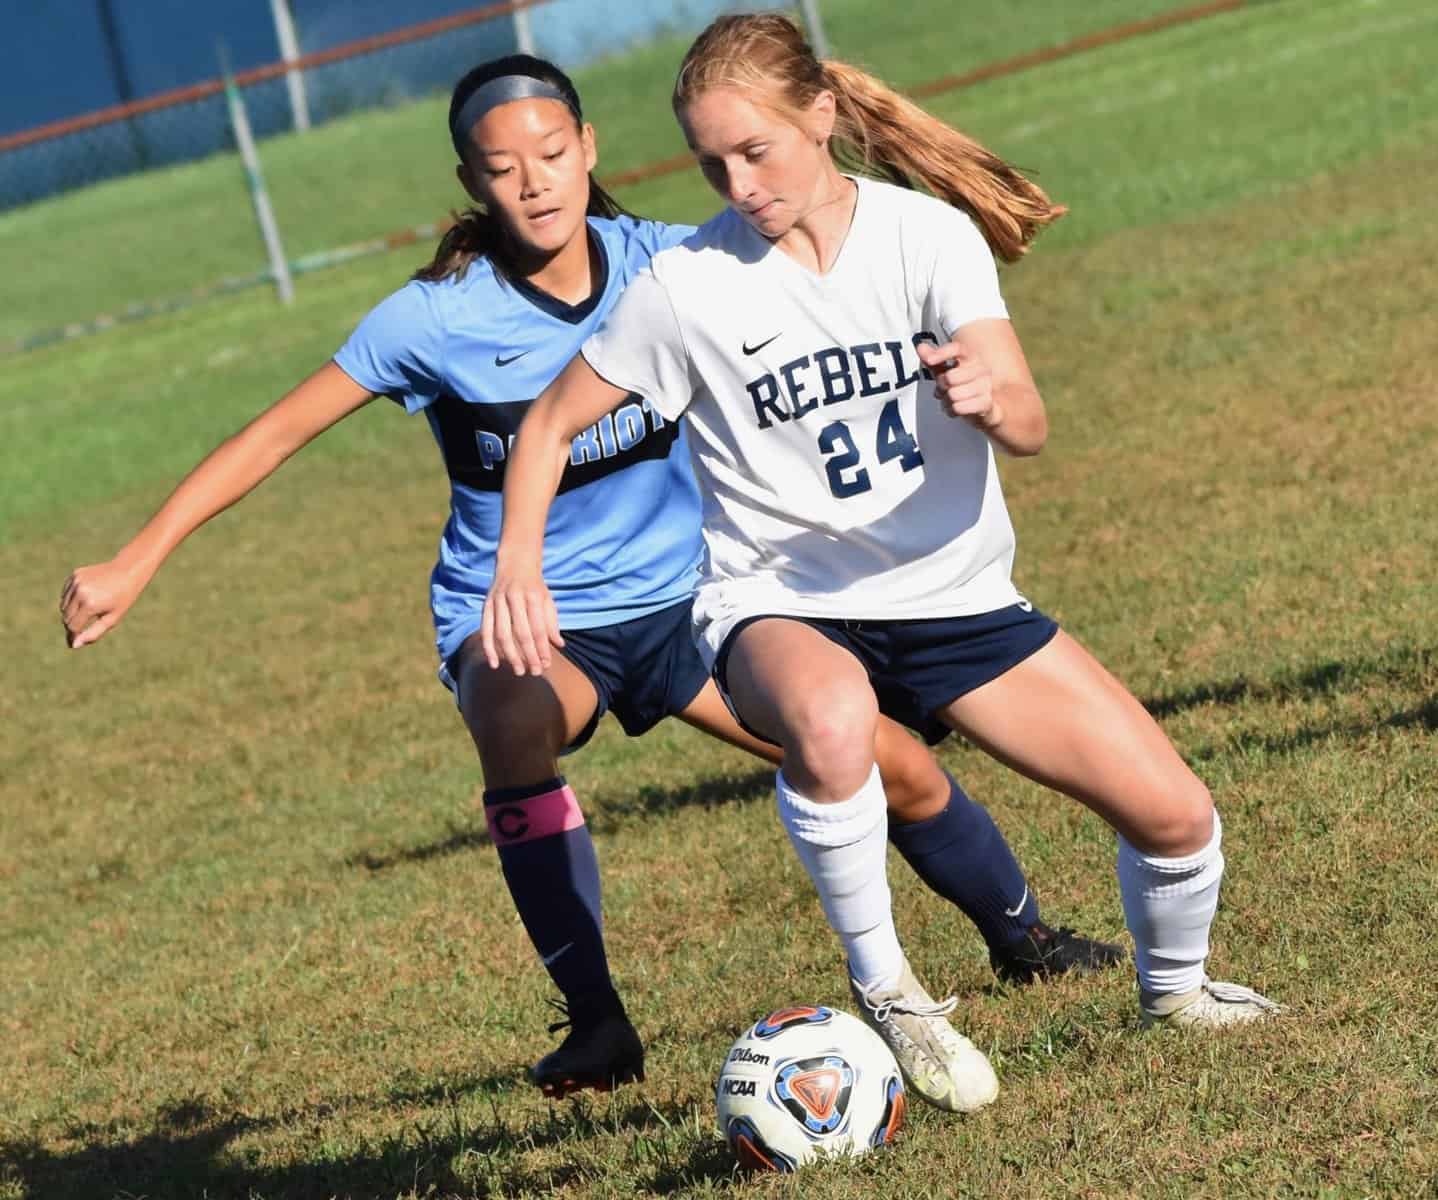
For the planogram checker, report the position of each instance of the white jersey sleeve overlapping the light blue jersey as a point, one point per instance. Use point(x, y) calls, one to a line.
point(641, 347)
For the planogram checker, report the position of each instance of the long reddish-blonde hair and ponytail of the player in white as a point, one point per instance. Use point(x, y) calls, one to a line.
point(876, 130)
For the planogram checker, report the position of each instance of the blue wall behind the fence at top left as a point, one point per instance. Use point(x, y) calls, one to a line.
point(65, 58)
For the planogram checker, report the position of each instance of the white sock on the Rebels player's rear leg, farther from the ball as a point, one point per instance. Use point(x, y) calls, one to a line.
point(1170, 907)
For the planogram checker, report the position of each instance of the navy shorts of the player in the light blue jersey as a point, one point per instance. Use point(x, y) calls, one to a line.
point(642, 670)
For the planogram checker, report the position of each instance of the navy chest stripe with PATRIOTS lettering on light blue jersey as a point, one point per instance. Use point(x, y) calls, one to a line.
point(477, 438)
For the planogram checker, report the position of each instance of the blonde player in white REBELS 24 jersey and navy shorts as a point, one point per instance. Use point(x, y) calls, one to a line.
point(842, 355)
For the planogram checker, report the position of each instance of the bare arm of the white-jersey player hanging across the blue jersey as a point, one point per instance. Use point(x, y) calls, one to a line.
point(521, 624)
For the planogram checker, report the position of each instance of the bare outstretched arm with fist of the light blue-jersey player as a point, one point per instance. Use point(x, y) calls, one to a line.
point(96, 598)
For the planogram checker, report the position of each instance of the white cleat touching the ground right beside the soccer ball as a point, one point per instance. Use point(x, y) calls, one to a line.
point(938, 1064)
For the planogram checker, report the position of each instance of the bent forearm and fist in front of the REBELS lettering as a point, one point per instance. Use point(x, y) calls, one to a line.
point(983, 378)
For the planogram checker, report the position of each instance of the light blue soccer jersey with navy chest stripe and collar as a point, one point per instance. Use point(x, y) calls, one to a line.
point(623, 537)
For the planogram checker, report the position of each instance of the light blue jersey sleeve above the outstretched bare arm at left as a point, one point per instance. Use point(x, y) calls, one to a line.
point(396, 350)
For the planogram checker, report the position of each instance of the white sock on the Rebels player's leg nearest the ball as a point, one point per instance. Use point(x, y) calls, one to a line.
point(843, 851)
